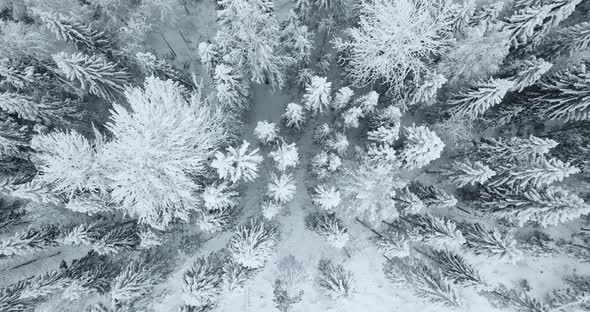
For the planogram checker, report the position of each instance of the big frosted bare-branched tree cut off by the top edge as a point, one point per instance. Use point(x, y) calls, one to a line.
point(394, 38)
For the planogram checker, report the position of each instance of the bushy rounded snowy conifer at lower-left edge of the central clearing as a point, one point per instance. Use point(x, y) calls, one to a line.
point(253, 243)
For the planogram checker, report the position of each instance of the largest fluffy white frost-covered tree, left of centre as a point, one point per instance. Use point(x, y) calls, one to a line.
point(158, 148)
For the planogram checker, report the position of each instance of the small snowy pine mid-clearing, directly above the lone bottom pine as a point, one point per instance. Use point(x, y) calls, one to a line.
point(329, 227)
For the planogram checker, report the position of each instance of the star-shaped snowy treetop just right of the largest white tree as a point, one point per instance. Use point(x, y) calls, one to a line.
point(237, 163)
